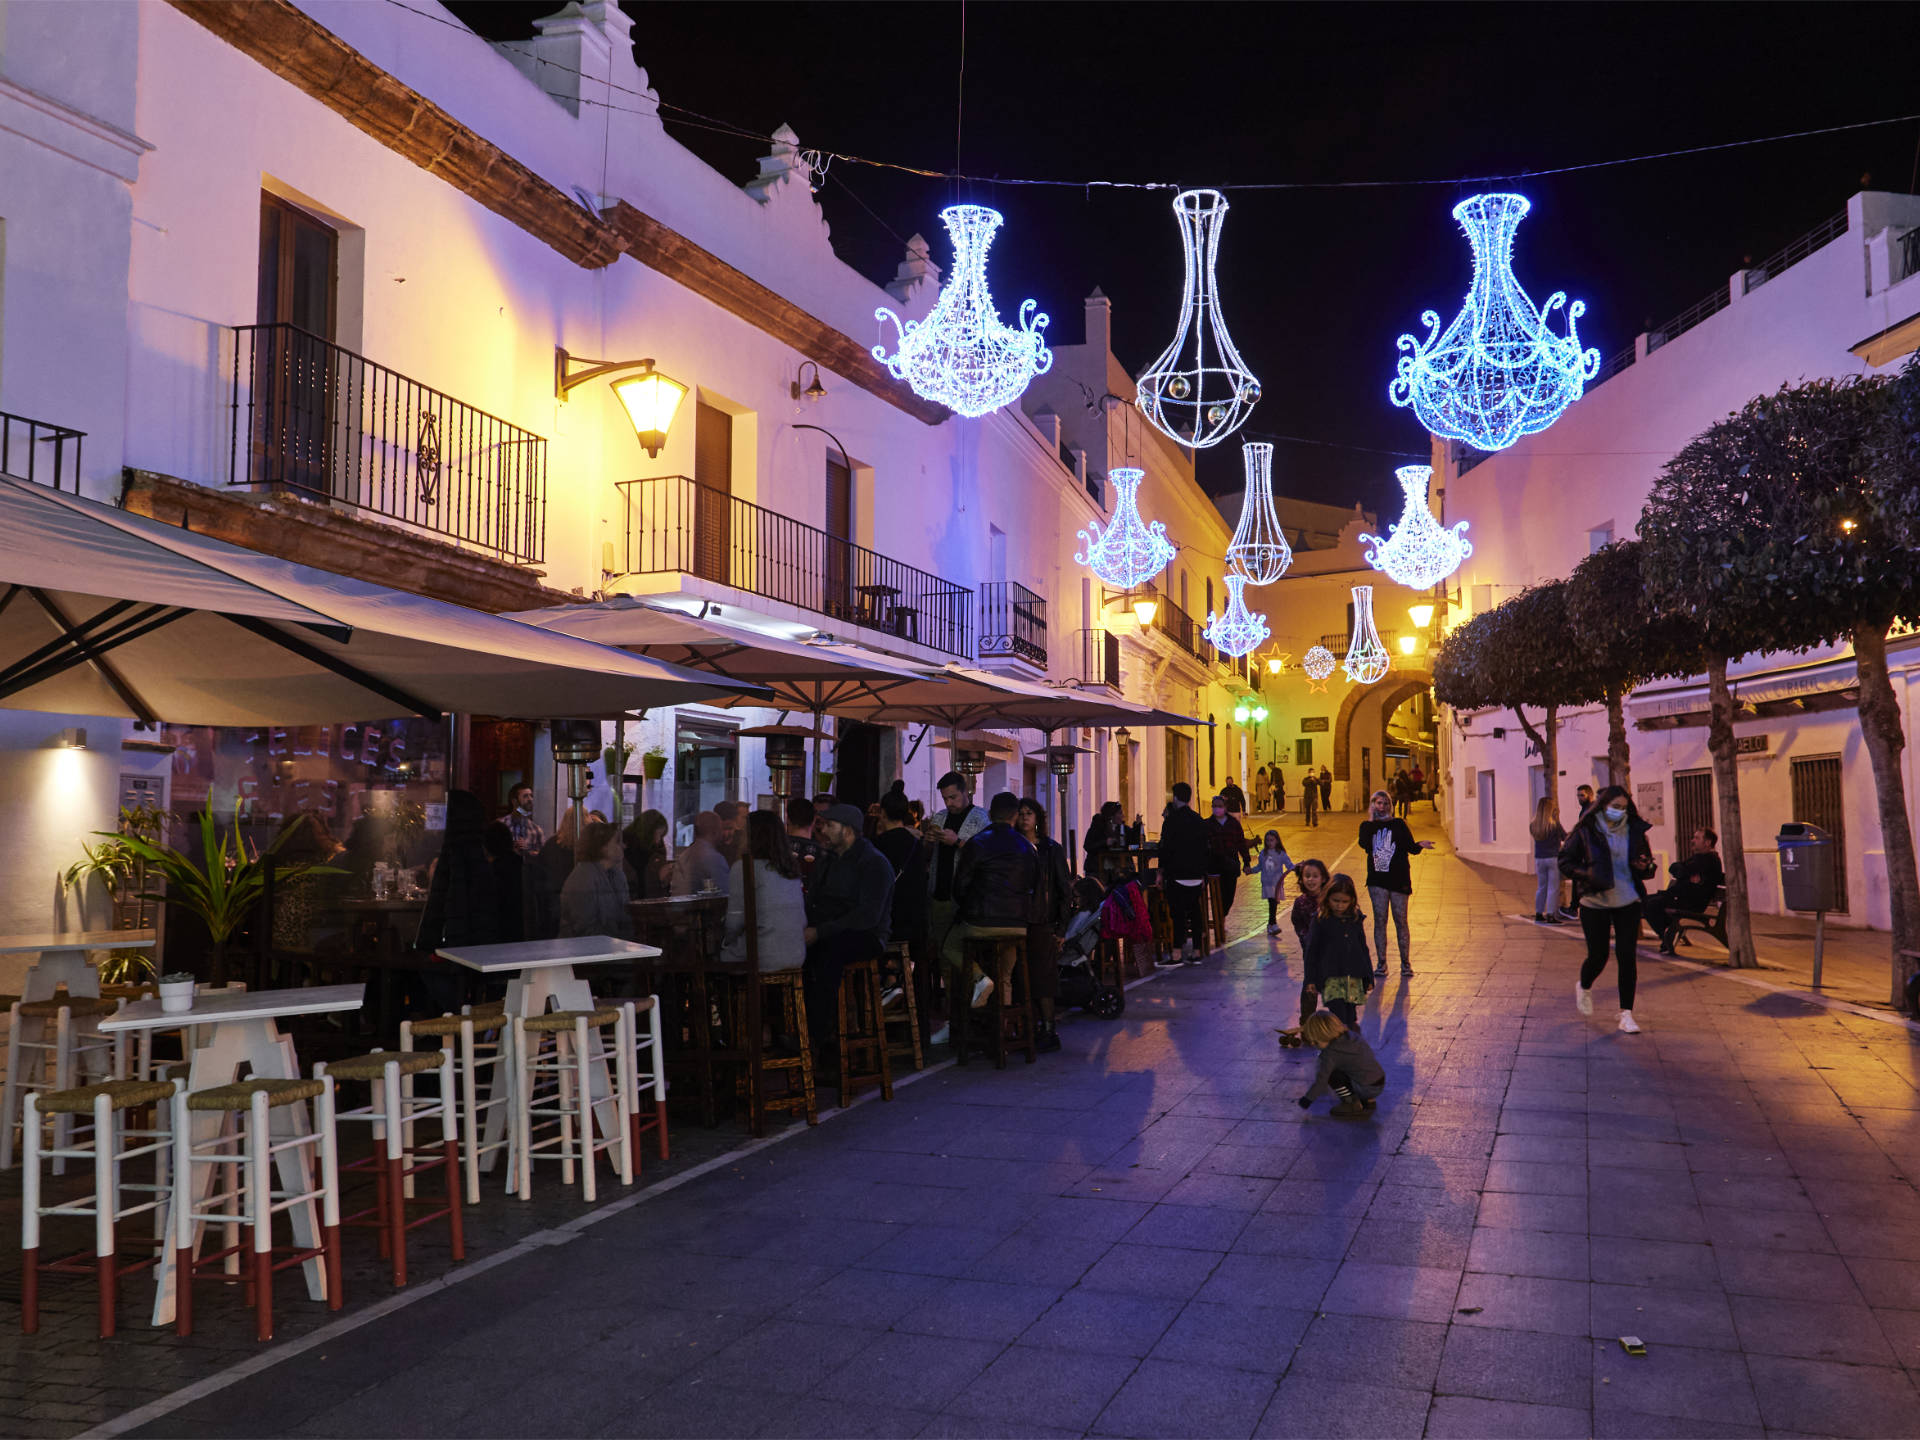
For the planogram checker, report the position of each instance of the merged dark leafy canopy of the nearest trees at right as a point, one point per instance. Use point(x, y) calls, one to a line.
point(1788, 523)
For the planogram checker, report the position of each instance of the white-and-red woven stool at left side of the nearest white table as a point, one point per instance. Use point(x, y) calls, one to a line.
point(114, 1141)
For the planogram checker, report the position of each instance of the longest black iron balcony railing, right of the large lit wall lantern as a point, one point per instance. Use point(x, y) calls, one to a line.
point(681, 527)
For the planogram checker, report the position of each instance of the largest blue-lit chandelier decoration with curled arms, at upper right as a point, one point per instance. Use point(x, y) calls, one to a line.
point(1499, 373)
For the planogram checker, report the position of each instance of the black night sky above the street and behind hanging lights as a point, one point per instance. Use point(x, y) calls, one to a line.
point(1316, 283)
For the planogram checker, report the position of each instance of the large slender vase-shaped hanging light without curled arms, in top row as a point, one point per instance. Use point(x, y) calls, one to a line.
point(1199, 391)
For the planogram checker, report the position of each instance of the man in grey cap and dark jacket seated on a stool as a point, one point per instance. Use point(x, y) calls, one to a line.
point(848, 915)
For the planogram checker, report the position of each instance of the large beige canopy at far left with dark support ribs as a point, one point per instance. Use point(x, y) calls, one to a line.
point(112, 613)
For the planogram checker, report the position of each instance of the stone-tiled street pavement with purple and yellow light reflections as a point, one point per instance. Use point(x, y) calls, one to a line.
point(1145, 1237)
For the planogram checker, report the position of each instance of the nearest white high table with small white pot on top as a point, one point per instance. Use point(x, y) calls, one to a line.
point(237, 1030)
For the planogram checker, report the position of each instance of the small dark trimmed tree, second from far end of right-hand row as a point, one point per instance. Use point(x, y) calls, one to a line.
point(1623, 638)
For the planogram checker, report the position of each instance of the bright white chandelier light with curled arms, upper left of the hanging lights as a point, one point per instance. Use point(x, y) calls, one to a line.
point(961, 356)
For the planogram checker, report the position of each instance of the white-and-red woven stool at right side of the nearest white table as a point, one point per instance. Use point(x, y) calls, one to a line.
point(395, 1111)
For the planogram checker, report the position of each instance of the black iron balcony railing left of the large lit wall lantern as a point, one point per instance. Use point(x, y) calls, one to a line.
point(343, 431)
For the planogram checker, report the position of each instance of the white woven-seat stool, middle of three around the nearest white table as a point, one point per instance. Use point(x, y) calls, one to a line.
point(252, 1153)
